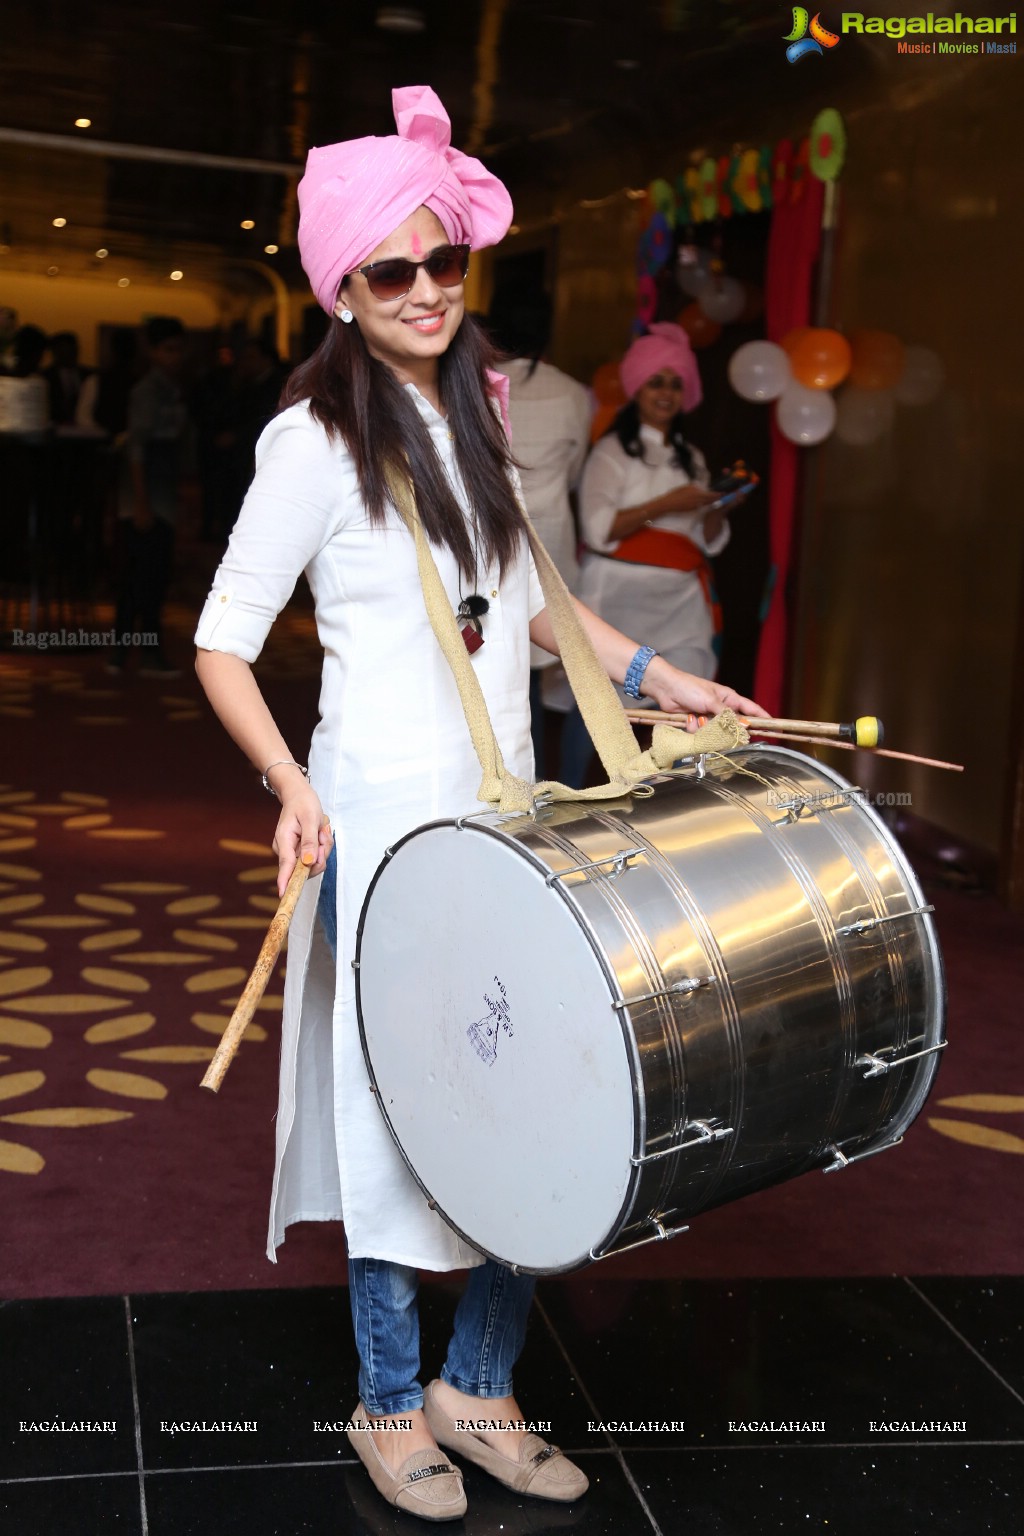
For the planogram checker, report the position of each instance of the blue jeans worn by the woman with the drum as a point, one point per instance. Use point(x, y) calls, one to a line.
point(491, 1322)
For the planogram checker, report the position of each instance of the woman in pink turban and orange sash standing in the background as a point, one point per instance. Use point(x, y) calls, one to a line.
point(646, 520)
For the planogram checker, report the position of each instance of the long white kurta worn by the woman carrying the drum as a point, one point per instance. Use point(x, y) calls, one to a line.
point(377, 781)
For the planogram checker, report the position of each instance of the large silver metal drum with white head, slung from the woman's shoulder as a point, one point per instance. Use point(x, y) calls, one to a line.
point(587, 1025)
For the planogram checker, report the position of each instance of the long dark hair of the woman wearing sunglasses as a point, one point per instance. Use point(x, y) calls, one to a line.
point(358, 399)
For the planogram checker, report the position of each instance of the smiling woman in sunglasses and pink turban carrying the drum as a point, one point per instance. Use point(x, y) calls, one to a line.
point(385, 234)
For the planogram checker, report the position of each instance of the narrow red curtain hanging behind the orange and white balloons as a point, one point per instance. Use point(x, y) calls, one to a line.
point(793, 251)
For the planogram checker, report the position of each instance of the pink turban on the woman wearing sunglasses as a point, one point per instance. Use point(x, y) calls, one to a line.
point(355, 194)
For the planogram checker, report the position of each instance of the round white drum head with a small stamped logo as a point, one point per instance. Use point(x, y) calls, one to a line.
point(503, 1070)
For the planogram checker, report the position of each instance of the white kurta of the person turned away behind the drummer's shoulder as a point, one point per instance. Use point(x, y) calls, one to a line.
point(550, 432)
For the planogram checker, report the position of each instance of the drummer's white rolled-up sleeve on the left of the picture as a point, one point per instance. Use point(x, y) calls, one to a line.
point(291, 512)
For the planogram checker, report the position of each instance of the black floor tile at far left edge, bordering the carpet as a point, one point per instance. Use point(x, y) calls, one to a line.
point(67, 1363)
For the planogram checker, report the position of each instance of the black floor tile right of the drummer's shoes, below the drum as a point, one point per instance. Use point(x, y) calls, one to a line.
point(842, 1354)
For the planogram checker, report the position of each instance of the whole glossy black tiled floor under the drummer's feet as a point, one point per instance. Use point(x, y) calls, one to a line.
point(854, 1356)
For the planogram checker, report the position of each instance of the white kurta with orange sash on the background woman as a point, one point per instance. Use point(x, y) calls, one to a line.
point(664, 609)
